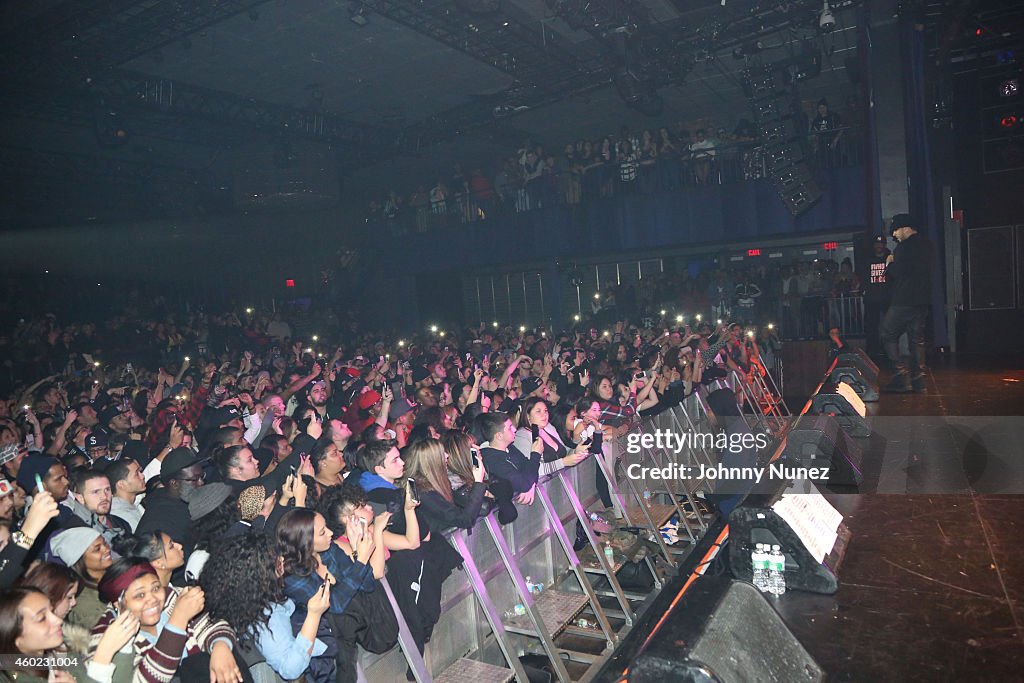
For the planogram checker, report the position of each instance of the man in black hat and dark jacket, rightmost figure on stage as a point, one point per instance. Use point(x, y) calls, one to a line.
point(910, 275)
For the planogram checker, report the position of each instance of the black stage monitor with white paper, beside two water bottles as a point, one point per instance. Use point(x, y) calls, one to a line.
point(762, 519)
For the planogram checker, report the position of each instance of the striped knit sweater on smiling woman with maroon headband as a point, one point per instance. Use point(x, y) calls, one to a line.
point(157, 663)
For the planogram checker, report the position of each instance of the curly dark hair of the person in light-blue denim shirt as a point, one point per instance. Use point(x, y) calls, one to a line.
point(245, 566)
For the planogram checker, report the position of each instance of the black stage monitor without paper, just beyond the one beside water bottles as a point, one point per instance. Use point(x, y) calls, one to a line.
point(818, 441)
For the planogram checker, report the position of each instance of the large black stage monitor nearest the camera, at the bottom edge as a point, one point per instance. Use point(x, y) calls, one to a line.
point(724, 631)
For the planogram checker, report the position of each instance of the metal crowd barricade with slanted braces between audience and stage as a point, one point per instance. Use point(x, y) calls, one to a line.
point(480, 636)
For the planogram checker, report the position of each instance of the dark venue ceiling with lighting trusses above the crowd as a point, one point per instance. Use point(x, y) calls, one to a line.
point(129, 109)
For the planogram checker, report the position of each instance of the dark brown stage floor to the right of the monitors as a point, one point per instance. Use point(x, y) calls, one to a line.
point(932, 587)
